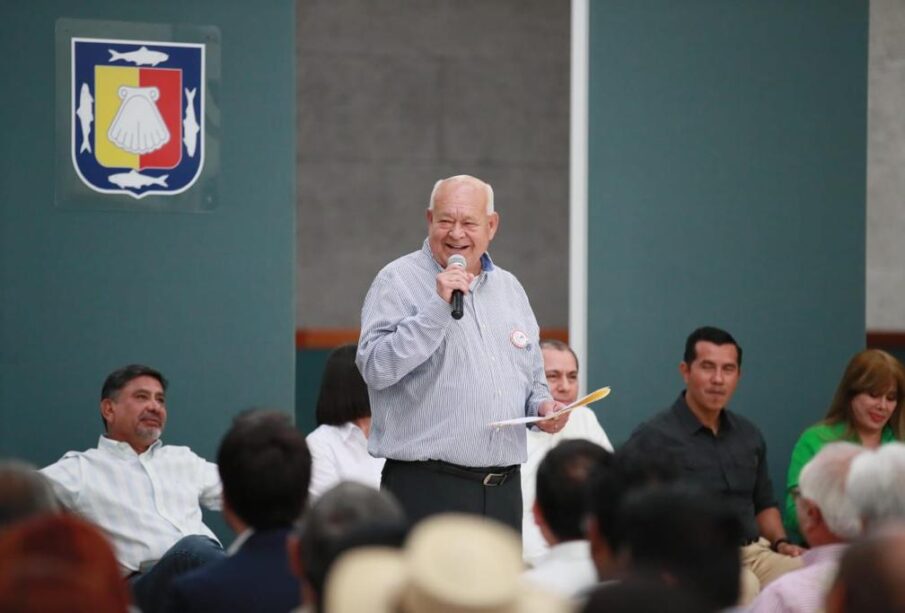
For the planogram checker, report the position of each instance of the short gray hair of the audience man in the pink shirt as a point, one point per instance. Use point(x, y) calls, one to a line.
point(823, 480)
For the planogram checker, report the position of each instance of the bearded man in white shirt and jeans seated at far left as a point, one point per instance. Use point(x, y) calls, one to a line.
point(144, 495)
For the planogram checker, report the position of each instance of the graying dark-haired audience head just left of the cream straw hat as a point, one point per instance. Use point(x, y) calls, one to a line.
point(348, 516)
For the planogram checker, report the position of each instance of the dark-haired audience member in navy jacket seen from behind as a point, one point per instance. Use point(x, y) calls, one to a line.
point(265, 468)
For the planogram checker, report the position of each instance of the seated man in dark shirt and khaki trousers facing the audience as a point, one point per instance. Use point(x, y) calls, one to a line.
point(723, 452)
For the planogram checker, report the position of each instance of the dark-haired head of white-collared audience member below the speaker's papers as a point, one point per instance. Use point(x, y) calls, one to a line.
point(559, 507)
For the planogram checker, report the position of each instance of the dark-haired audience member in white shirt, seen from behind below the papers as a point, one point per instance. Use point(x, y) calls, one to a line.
point(567, 568)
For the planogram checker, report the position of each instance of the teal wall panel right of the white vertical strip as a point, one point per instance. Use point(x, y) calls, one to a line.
point(727, 148)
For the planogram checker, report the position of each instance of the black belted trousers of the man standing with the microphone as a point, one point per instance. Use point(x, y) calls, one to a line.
point(430, 487)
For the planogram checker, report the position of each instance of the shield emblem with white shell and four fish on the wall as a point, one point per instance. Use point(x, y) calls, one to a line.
point(137, 115)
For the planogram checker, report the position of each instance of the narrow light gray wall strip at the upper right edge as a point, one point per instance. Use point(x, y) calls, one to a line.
point(886, 167)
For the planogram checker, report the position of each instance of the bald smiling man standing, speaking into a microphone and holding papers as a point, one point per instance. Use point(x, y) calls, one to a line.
point(436, 381)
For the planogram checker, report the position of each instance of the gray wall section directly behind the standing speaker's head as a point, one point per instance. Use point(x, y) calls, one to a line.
point(394, 95)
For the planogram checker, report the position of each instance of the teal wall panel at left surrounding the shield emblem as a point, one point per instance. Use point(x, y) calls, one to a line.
point(205, 297)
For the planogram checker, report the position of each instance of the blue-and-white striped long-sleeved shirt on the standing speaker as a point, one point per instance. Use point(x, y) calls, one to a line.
point(435, 383)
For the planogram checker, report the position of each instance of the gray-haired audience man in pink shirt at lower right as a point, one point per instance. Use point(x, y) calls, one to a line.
point(829, 519)
